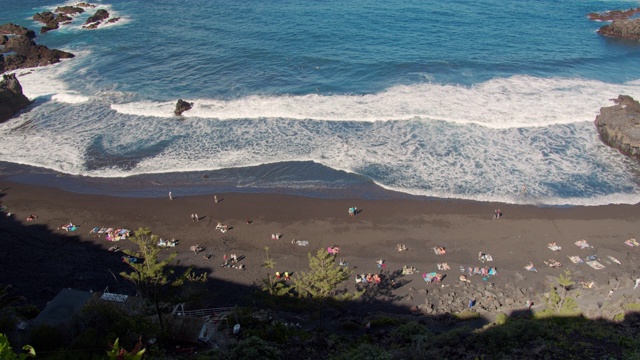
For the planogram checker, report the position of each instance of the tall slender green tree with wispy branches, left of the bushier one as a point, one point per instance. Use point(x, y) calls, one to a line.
point(154, 279)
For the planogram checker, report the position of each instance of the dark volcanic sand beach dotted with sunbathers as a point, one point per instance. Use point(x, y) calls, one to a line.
point(39, 259)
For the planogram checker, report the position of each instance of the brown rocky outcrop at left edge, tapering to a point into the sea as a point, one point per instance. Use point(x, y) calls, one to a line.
point(26, 53)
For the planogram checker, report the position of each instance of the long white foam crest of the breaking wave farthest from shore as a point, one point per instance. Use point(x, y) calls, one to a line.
point(514, 102)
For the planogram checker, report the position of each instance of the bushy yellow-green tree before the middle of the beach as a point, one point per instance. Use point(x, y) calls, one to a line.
point(323, 281)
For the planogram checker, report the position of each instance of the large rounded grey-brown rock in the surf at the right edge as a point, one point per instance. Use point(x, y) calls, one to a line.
point(619, 125)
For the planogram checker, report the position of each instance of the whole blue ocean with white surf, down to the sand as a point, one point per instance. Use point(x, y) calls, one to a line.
point(480, 100)
